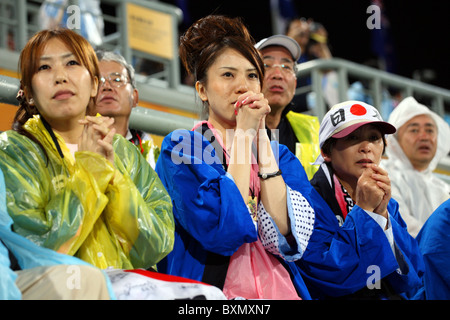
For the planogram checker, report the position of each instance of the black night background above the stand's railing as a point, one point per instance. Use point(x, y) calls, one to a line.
point(419, 30)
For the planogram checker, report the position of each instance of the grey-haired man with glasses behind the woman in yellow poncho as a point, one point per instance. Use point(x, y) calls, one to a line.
point(117, 96)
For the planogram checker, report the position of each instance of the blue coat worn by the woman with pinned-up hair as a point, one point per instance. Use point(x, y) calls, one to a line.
point(210, 214)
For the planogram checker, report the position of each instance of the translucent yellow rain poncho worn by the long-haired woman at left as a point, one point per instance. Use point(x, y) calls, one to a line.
point(110, 216)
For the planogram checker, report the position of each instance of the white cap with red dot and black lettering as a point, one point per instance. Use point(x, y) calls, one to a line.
point(344, 118)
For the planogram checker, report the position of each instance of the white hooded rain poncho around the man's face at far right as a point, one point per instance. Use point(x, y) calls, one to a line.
point(418, 193)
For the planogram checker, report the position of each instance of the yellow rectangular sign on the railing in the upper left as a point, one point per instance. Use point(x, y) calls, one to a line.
point(150, 31)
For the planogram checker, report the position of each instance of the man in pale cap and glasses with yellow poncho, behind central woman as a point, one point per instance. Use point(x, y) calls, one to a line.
point(299, 132)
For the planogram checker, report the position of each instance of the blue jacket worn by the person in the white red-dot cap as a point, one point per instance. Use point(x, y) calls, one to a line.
point(341, 260)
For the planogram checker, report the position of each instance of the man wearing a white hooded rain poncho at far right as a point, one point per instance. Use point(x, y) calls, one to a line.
point(413, 154)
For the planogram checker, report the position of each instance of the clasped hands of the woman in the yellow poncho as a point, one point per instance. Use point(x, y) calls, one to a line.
point(97, 136)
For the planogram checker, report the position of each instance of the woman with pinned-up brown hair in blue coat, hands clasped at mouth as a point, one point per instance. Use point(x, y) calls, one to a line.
point(225, 194)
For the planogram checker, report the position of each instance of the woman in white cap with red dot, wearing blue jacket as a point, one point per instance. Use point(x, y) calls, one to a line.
point(378, 247)
